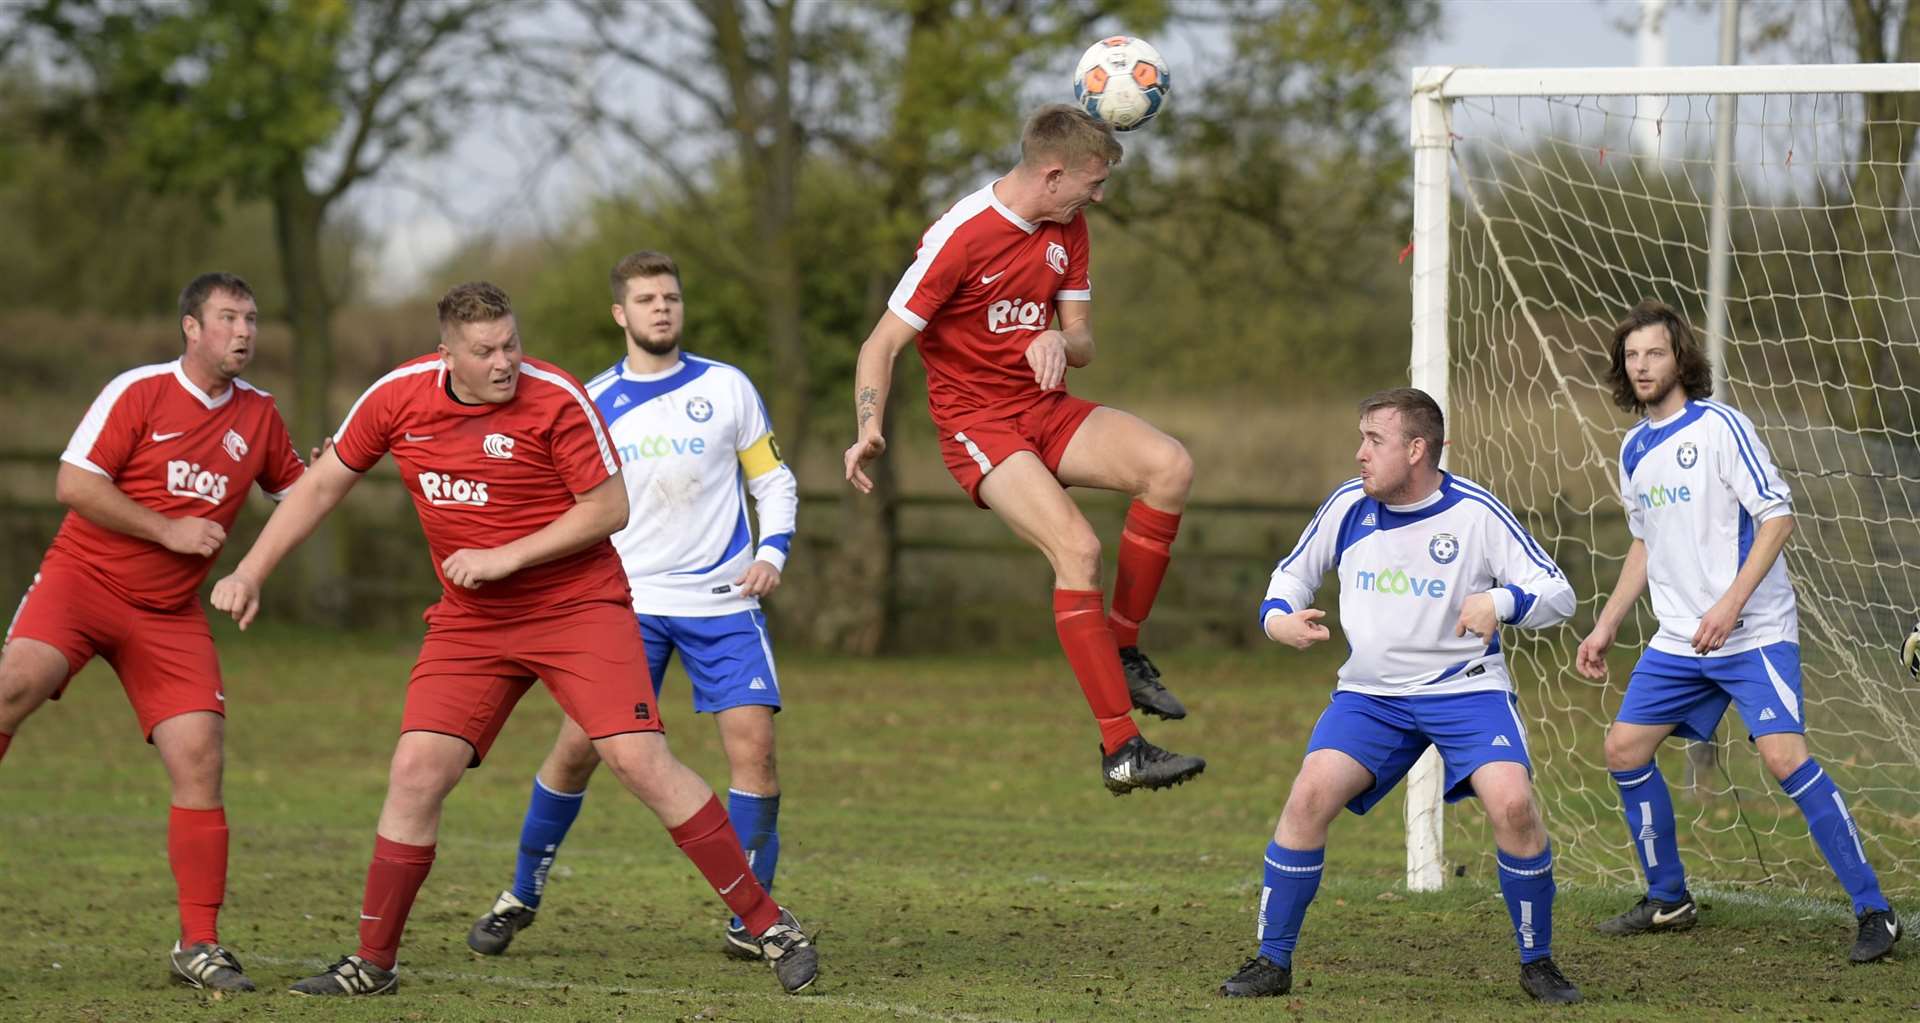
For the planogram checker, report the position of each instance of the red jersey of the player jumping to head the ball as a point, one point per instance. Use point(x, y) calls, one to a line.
point(980, 289)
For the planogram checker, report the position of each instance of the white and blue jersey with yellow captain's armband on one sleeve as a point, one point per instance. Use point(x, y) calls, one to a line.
point(694, 440)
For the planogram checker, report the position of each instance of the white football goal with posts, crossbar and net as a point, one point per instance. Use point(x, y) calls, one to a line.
point(1564, 199)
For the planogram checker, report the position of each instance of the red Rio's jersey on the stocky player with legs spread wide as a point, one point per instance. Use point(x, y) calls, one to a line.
point(489, 475)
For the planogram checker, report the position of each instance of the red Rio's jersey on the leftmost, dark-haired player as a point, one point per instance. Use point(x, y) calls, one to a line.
point(172, 448)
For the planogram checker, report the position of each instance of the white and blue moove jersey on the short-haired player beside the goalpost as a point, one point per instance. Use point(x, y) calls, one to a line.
point(1406, 573)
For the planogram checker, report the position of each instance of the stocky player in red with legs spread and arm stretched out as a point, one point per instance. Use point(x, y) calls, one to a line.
point(512, 456)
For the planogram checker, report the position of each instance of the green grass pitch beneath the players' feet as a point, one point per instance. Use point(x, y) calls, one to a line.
point(944, 834)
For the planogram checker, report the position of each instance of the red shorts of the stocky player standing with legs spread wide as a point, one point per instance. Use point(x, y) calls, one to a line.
point(473, 671)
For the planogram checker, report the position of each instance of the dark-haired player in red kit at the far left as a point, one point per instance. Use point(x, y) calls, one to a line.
point(153, 479)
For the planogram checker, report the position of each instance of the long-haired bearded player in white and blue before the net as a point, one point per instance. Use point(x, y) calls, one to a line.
point(1710, 519)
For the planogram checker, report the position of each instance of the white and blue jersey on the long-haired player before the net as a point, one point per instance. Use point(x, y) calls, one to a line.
point(1696, 487)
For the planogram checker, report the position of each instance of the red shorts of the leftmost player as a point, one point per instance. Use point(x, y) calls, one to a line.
point(162, 657)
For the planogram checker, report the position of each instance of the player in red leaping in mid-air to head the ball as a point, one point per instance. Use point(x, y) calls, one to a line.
point(982, 297)
